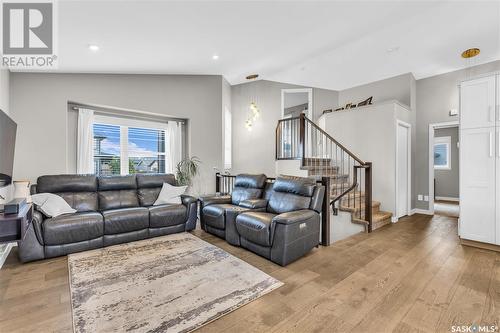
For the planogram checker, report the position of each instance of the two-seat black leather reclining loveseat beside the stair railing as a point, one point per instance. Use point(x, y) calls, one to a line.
point(279, 221)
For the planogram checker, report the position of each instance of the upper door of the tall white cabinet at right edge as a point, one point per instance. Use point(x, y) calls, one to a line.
point(477, 103)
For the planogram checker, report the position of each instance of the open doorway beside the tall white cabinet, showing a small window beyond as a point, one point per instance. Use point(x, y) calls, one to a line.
point(444, 169)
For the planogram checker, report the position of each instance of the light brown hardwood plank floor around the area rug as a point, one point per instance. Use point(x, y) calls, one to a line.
point(412, 276)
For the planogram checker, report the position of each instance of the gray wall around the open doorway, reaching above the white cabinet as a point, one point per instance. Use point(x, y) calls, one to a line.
point(435, 97)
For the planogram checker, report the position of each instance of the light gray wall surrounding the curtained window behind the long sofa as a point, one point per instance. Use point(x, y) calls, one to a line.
point(39, 106)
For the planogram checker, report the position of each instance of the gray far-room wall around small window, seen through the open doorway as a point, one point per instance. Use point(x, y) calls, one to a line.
point(447, 181)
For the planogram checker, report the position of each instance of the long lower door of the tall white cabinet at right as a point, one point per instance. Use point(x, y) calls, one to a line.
point(477, 184)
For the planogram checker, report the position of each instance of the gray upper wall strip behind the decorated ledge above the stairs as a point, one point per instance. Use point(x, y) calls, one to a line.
point(397, 87)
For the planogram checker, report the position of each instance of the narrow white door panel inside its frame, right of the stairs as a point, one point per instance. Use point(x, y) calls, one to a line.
point(402, 172)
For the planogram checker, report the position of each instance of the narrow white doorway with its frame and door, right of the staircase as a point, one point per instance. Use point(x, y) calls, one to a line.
point(403, 168)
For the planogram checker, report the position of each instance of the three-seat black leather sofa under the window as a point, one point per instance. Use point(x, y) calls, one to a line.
point(110, 210)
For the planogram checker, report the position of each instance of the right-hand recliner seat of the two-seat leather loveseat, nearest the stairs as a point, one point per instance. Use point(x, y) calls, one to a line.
point(290, 225)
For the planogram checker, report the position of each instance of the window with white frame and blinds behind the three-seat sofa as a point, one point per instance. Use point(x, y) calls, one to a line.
point(123, 146)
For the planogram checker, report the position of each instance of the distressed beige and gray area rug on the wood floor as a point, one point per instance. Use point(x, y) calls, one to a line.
point(174, 283)
